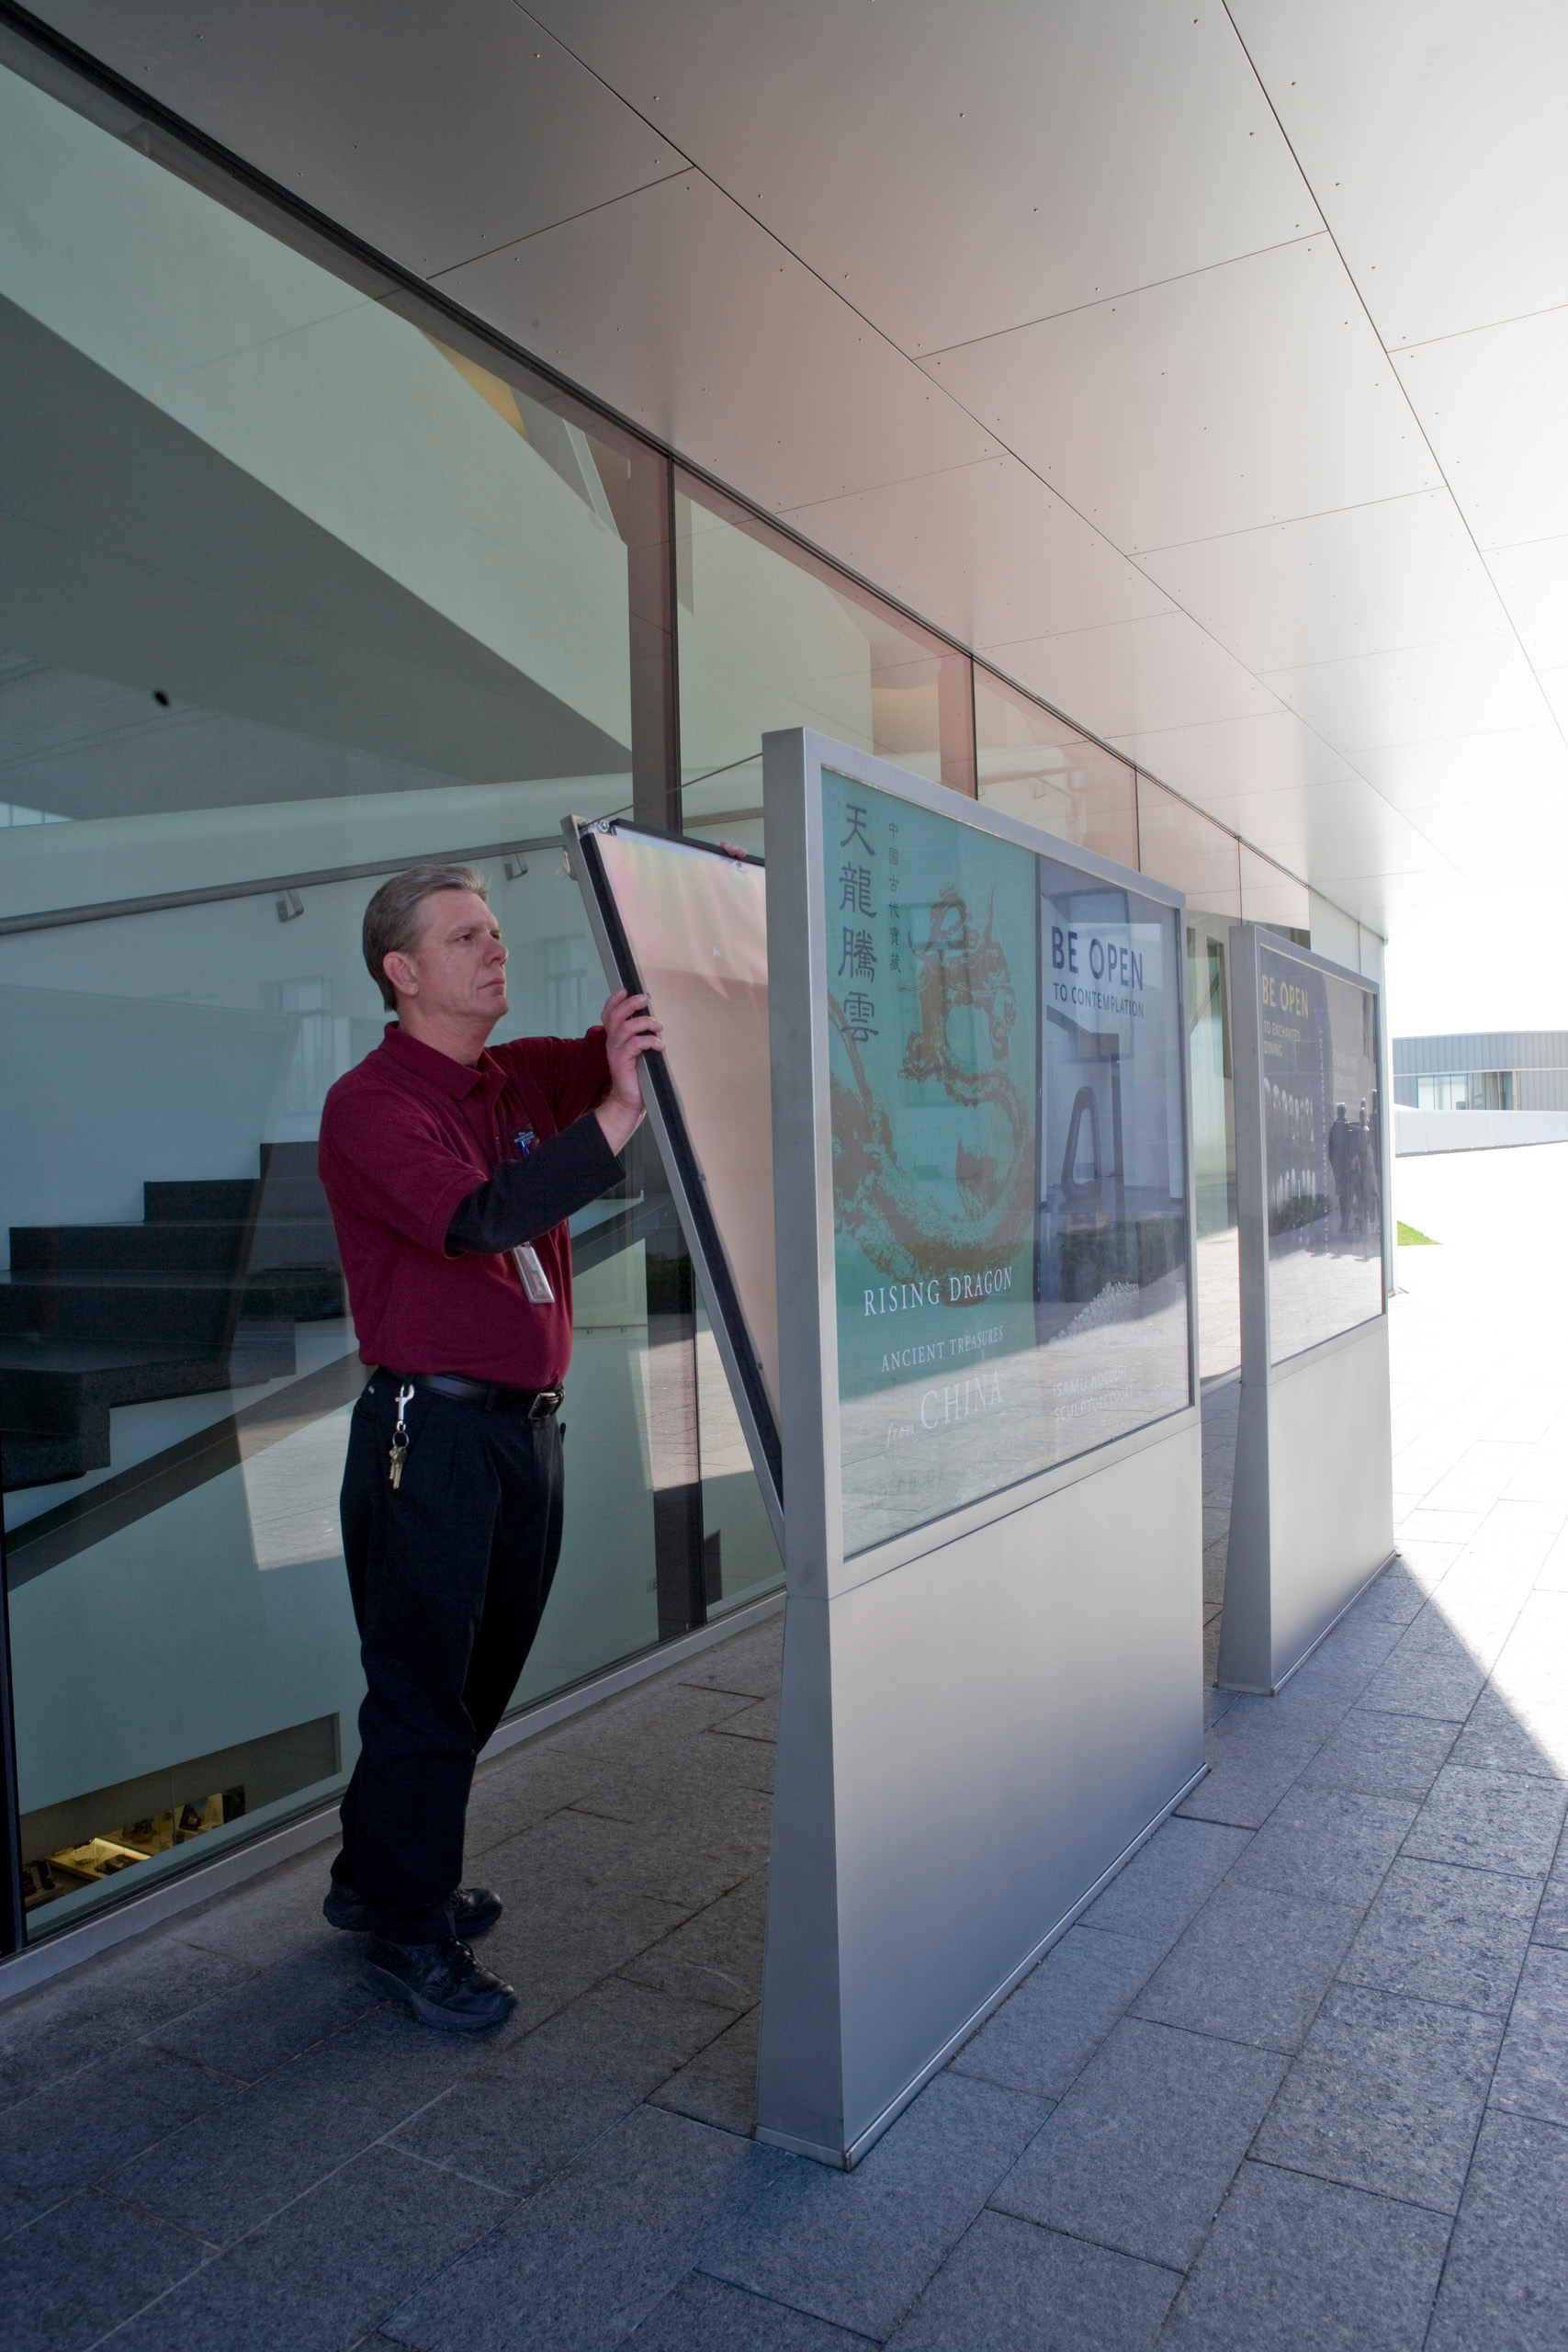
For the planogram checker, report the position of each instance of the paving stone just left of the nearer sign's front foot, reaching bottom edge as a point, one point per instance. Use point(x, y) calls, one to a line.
point(579, 2266)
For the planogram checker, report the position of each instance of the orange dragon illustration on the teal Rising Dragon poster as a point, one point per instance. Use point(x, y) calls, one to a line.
point(897, 1222)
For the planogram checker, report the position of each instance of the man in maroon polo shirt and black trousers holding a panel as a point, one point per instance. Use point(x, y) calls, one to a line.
point(450, 1175)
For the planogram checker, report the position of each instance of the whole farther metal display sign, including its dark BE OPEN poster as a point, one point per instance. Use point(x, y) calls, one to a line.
point(1313, 1506)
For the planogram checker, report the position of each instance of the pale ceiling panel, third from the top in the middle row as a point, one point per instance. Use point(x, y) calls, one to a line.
point(1329, 587)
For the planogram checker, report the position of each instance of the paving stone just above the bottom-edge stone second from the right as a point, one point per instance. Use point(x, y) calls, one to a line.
point(1386, 2097)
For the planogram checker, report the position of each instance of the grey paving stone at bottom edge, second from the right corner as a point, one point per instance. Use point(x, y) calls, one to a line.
point(1306, 2266)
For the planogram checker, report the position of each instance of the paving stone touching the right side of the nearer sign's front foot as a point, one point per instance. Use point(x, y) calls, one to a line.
point(859, 2247)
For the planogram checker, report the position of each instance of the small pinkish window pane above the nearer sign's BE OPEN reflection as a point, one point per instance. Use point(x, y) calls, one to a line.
point(1045, 773)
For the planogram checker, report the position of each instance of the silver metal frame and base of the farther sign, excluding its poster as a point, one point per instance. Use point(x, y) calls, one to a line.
point(1304, 1544)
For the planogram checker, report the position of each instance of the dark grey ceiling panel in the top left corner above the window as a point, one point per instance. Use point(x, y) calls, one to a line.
point(431, 133)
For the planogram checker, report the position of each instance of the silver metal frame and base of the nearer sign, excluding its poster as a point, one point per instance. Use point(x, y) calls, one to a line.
point(986, 1716)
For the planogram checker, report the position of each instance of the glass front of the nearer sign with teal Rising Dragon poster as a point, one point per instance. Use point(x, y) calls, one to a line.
point(1007, 1135)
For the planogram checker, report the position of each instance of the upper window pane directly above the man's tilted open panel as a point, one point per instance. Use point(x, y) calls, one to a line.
point(777, 639)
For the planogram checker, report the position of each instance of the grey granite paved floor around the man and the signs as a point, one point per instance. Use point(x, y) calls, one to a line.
point(1296, 2080)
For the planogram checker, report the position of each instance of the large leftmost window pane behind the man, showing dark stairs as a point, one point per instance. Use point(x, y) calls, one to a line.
point(293, 594)
